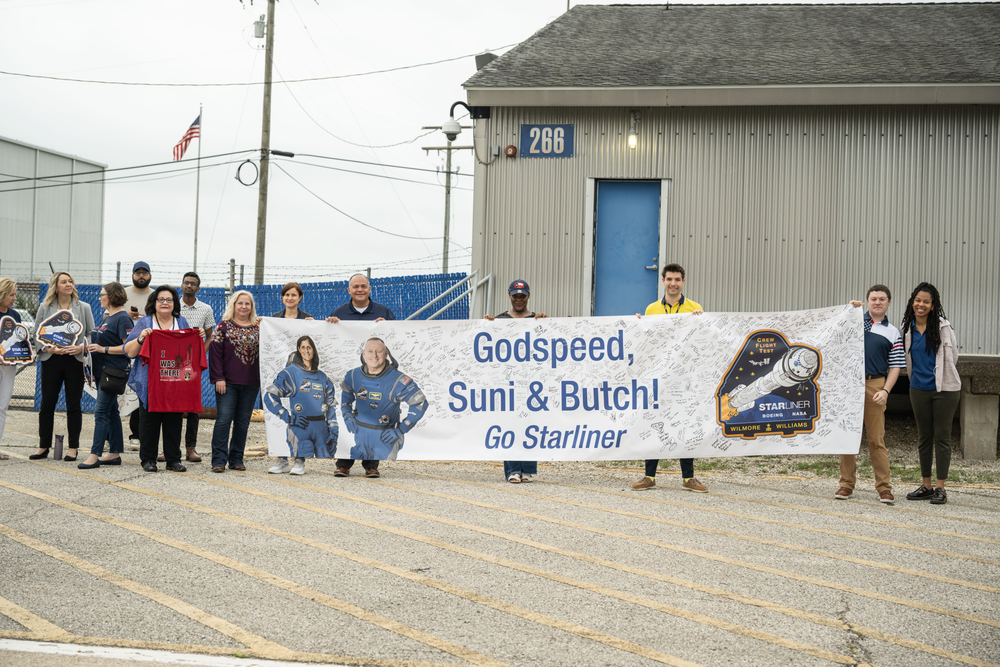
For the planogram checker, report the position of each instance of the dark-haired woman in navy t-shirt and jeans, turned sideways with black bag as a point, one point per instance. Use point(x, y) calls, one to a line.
point(108, 350)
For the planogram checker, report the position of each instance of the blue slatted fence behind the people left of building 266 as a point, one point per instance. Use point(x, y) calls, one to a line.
point(402, 294)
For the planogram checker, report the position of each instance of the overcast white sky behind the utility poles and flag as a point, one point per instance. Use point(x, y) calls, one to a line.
point(211, 41)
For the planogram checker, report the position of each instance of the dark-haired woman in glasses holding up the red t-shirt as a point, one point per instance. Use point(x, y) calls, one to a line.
point(163, 311)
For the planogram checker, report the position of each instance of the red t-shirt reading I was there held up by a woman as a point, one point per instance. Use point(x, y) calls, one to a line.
point(176, 358)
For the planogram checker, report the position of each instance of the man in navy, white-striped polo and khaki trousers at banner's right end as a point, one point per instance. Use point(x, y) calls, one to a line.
point(883, 359)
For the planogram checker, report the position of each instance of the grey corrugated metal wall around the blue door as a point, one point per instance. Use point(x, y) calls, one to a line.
point(770, 208)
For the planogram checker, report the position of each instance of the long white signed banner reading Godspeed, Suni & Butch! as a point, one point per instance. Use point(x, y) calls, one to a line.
point(677, 386)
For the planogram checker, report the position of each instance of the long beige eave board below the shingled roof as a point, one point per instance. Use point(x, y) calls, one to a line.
point(723, 96)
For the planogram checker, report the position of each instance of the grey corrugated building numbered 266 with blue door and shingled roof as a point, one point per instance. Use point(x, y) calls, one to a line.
point(788, 156)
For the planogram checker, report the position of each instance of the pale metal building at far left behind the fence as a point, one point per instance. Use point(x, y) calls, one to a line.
point(51, 210)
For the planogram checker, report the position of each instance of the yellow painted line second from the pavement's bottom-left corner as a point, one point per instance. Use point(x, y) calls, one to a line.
point(219, 625)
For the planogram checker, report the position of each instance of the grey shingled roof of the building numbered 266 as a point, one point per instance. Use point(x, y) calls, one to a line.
point(629, 46)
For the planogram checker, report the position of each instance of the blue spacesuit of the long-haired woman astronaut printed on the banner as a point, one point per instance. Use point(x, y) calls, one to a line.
point(311, 415)
